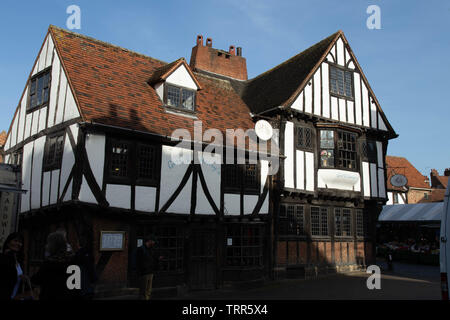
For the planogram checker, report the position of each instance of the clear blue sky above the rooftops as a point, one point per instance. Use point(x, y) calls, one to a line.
point(406, 61)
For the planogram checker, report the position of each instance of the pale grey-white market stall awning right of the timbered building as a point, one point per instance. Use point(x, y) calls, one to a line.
point(412, 212)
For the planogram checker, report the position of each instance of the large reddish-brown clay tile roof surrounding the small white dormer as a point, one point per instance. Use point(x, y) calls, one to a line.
point(111, 87)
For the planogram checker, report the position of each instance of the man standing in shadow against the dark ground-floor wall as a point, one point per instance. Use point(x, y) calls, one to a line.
point(147, 263)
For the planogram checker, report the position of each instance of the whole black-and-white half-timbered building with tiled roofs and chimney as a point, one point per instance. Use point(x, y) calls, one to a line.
point(92, 135)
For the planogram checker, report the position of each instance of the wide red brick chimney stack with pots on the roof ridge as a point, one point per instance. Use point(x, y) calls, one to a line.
point(227, 63)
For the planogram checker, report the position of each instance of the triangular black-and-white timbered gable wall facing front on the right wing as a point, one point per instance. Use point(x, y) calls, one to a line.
point(314, 94)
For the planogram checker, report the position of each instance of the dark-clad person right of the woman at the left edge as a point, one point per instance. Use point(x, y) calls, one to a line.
point(52, 275)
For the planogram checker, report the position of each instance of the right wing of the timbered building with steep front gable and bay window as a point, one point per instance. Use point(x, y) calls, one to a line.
point(334, 136)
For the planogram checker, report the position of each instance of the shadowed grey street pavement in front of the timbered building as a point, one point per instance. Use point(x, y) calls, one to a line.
point(404, 282)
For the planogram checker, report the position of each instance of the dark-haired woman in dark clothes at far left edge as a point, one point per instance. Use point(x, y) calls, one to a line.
point(11, 273)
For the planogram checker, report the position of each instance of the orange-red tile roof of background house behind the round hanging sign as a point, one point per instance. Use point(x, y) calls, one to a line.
point(400, 165)
